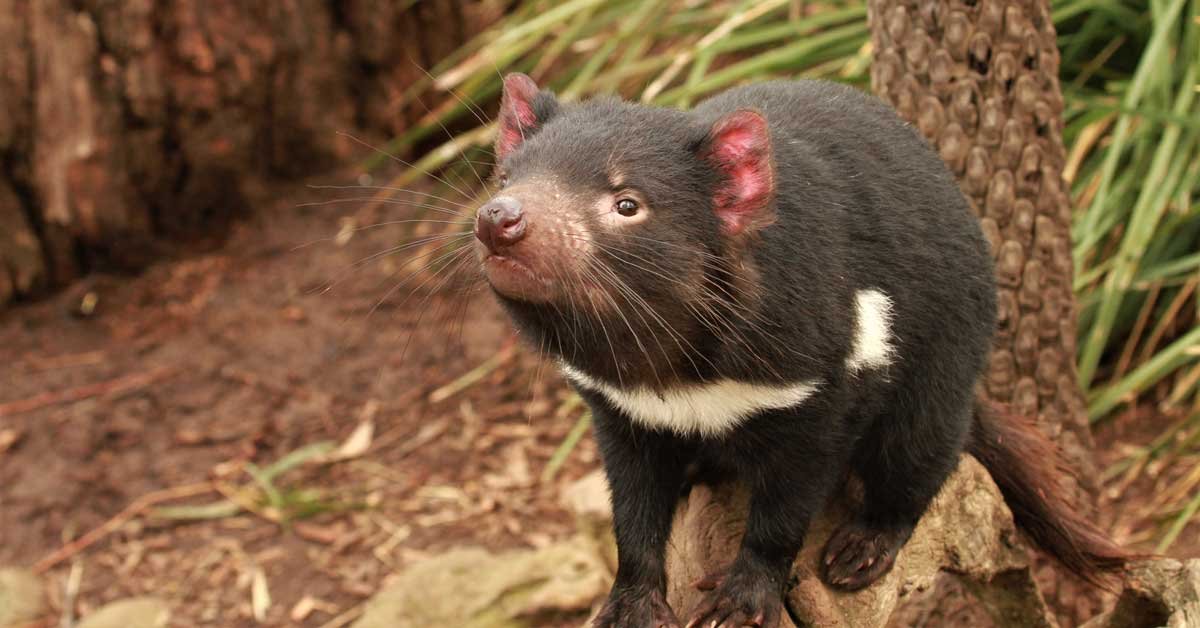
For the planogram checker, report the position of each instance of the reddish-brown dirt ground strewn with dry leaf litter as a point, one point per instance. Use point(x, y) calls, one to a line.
point(127, 394)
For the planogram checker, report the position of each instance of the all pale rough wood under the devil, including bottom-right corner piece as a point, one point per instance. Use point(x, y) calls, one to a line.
point(968, 535)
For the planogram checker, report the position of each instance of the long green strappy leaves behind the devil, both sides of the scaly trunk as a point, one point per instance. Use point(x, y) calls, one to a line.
point(1132, 128)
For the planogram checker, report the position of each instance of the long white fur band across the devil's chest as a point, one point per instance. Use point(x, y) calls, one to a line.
point(707, 410)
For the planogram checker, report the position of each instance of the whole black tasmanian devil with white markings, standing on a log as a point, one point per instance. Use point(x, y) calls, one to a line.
point(783, 285)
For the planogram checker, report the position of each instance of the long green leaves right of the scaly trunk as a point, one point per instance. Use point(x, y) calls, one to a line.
point(1133, 123)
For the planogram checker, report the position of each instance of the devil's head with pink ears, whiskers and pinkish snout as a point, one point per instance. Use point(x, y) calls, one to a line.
point(619, 237)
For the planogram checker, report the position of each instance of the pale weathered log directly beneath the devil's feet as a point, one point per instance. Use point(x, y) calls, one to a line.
point(968, 533)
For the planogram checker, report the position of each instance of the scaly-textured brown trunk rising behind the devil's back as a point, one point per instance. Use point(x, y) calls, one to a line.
point(980, 79)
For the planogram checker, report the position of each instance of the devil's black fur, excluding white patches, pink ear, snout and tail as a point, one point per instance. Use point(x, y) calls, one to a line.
point(861, 202)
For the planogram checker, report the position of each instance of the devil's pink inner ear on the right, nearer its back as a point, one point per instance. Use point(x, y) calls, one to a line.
point(740, 148)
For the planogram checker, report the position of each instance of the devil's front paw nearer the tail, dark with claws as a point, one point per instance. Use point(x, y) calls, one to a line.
point(736, 600)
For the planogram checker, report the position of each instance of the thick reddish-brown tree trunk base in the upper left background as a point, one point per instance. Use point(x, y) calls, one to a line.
point(129, 127)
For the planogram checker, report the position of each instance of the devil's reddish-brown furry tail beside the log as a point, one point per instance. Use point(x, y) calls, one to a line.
point(1027, 466)
